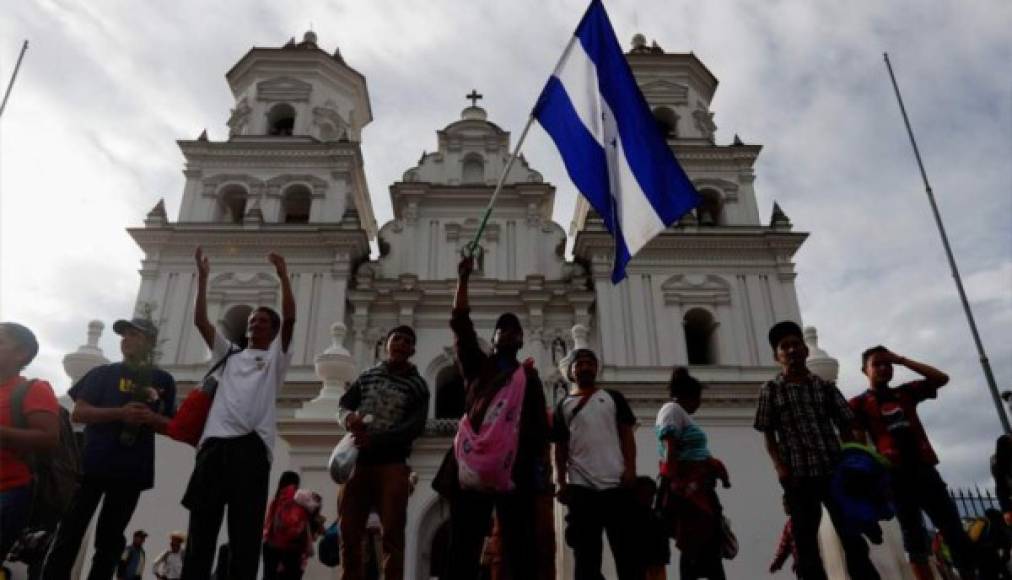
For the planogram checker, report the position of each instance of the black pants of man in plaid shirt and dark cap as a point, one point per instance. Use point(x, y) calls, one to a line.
point(806, 498)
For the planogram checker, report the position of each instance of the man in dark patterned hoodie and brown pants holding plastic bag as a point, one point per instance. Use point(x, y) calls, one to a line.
point(397, 398)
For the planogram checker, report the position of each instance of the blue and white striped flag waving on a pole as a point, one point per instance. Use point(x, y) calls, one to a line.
point(613, 148)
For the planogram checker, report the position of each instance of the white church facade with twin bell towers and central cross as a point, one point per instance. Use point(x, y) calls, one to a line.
point(290, 180)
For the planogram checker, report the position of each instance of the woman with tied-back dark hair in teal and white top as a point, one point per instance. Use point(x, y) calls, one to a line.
point(689, 482)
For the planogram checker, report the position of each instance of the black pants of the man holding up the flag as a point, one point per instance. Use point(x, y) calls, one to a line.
point(471, 522)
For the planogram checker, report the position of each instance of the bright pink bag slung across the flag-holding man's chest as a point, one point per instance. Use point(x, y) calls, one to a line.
point(486, 458)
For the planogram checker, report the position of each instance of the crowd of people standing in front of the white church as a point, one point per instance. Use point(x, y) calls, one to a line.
point(513, 459)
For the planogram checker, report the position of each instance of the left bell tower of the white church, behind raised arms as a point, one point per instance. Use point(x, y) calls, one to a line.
point(289, 179)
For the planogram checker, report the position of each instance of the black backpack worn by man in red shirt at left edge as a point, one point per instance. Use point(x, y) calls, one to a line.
point(56, 473)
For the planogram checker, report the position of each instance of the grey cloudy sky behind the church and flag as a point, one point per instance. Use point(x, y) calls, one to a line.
point(88, 146)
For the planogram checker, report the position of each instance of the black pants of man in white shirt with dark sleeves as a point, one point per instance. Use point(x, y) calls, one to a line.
point(593, 513)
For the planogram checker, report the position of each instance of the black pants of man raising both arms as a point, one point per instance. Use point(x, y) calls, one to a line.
point(229, 473)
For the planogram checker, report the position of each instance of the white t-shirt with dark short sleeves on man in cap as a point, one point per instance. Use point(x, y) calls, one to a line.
point(596, 451)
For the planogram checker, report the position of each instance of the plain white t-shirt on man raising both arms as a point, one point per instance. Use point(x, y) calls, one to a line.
point(247, 392)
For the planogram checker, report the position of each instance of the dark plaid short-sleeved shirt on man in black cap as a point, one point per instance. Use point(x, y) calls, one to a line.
point(802, 417)
